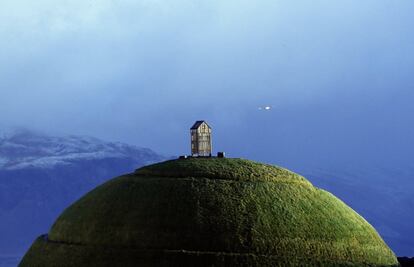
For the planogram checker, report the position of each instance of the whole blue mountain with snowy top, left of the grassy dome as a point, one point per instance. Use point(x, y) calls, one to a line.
point(41, 175)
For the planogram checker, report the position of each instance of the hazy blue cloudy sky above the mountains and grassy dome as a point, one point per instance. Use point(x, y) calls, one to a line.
point(337, 74)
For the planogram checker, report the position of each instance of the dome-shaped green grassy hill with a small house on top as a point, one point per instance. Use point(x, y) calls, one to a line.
point(209, 212)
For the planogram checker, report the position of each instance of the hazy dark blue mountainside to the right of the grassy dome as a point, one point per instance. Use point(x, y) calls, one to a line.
point(382, 195)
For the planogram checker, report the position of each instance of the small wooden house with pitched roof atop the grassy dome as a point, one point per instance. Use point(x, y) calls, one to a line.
point(201, 139)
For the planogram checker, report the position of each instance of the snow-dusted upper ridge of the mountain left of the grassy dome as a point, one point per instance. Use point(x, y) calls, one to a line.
point(24, 149)
